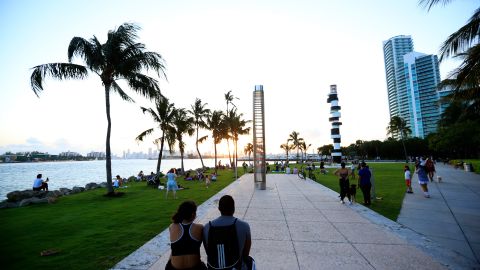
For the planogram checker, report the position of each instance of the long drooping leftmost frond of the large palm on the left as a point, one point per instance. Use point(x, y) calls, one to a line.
point(59, 71)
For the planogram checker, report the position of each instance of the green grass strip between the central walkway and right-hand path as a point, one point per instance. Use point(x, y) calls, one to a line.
point(389, 186)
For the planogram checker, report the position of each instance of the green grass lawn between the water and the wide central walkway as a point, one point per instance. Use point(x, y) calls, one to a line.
point(92, 231)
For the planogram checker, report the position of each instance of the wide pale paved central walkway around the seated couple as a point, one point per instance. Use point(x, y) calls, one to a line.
point(298, 224)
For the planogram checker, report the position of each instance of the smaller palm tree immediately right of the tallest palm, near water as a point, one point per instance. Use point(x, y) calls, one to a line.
point(163, 117)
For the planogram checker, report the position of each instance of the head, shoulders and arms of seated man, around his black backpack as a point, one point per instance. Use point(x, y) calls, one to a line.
point(226, 205)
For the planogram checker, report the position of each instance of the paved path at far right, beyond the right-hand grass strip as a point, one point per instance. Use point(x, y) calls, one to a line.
point(451, 217)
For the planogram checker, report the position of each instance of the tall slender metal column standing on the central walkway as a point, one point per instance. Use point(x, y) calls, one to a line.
point(259, 138)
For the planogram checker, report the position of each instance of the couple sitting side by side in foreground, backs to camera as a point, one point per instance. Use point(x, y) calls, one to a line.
point(227, 240)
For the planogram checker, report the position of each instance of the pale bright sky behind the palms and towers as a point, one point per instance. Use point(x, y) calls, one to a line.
point(295, 49)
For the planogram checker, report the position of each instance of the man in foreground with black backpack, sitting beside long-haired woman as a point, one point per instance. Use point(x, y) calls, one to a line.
point(227, 239)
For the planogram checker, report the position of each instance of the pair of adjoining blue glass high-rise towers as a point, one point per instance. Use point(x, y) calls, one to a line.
point(412, 80)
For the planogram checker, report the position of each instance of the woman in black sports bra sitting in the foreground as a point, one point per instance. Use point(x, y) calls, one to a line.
point(185, 239)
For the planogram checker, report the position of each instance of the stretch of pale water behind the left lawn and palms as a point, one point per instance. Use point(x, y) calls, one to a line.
point(20, 176)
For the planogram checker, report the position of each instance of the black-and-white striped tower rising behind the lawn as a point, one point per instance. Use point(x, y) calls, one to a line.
point(335, 120)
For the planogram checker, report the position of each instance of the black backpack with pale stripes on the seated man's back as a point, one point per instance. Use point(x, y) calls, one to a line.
point(223, 251)
